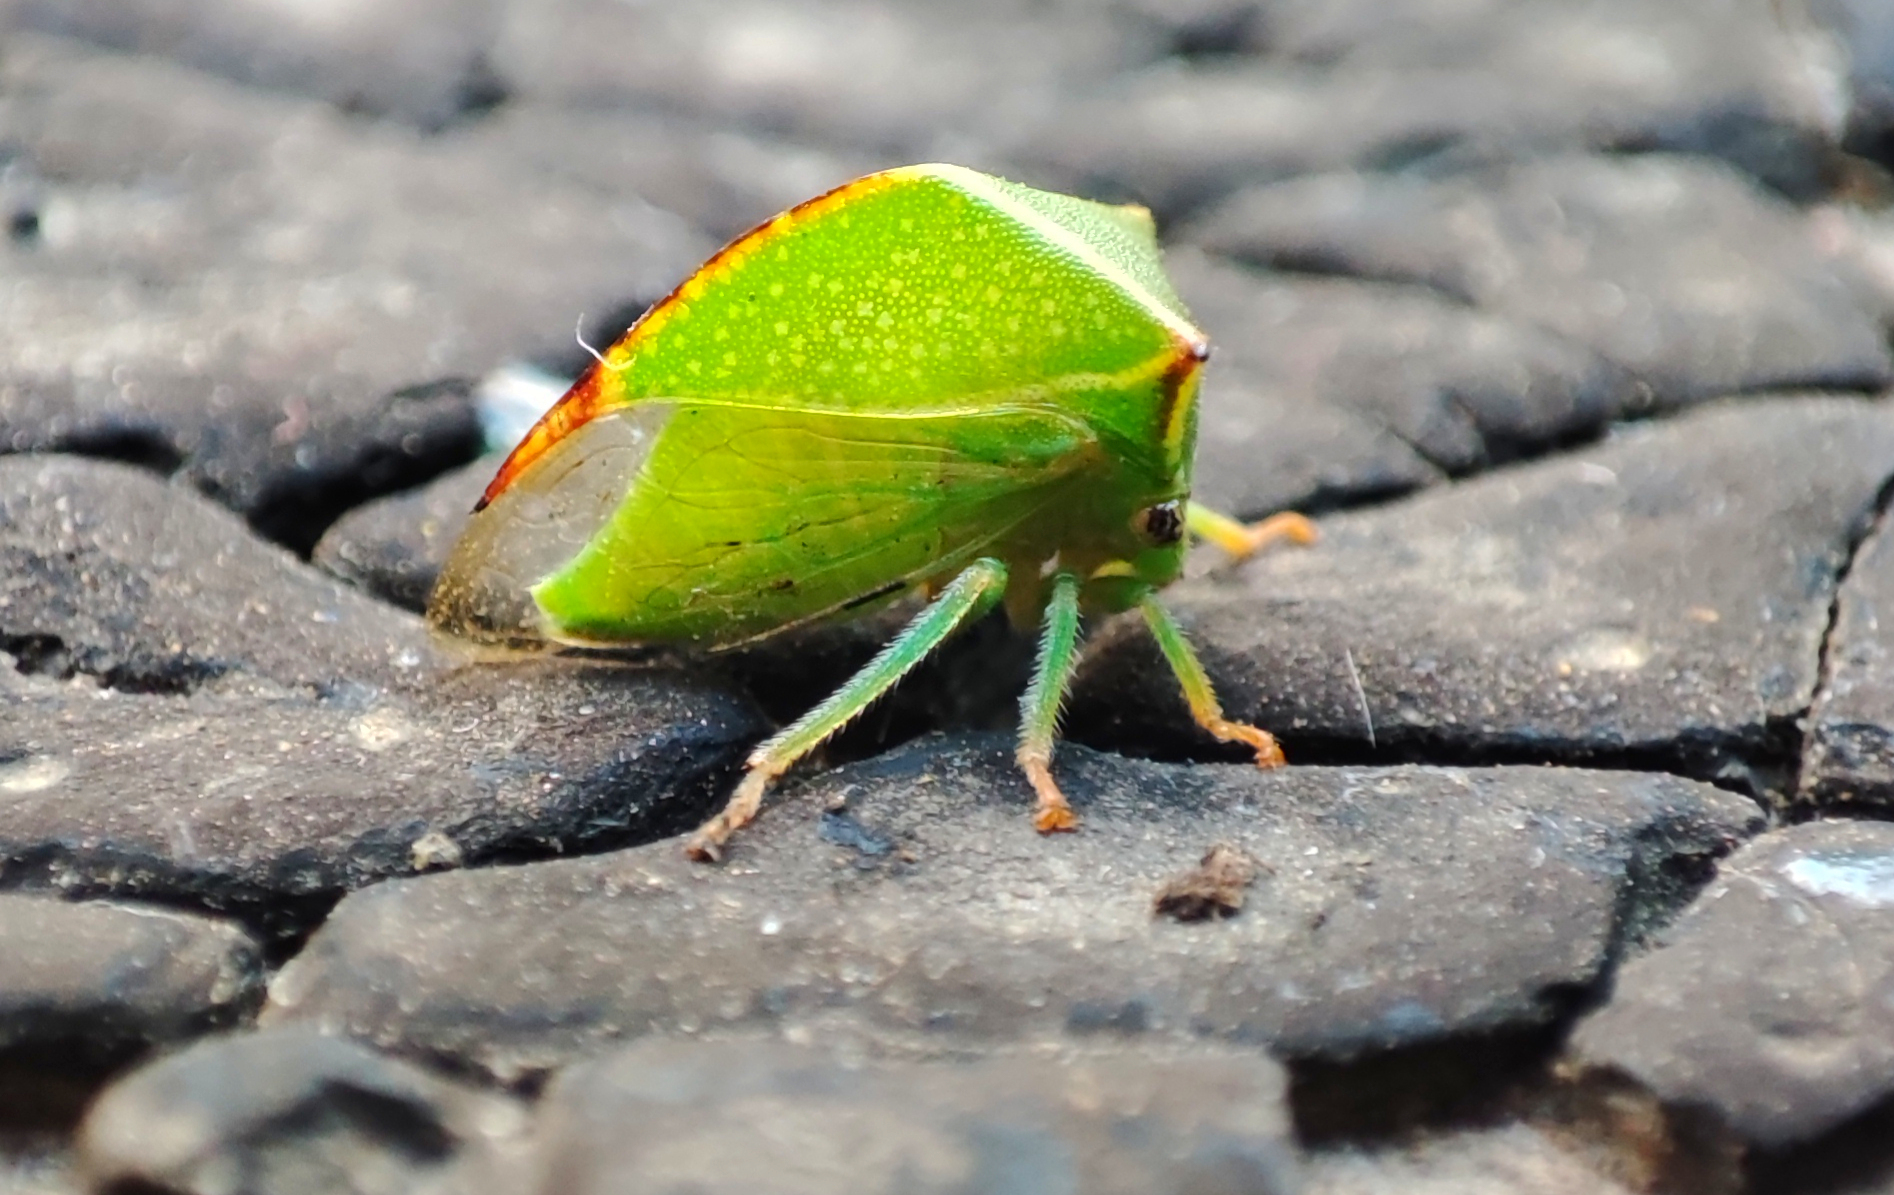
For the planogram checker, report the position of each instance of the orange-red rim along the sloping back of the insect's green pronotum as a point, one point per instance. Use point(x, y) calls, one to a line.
point(586, 401)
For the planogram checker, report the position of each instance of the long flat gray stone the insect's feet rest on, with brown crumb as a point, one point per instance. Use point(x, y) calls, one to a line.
point(908, 901)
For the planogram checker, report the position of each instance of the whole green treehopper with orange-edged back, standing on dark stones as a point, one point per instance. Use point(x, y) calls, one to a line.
point(923, 380)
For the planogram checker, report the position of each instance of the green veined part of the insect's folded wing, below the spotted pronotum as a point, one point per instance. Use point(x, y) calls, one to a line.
point(745, 520)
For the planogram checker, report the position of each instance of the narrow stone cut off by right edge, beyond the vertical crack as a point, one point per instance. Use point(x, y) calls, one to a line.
point(1849, 749)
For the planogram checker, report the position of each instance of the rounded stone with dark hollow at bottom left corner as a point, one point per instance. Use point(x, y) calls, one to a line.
point(293, 1115)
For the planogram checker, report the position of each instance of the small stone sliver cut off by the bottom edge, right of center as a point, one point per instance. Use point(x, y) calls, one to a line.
point(1516, 1160)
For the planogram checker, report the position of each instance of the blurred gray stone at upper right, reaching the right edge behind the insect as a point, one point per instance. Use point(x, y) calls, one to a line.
point(1673, 268)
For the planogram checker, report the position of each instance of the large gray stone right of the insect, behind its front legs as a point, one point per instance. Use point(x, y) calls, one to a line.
point(1660, 599)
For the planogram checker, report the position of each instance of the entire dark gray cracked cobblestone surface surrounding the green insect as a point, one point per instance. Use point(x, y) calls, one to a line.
point(1571, 323)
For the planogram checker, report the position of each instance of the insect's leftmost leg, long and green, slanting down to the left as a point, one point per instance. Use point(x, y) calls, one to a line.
point(969, 596)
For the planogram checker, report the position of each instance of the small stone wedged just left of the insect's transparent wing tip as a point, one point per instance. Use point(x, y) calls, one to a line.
point(397, 546)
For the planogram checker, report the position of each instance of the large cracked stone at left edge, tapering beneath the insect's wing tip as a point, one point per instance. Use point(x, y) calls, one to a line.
point(243, 732)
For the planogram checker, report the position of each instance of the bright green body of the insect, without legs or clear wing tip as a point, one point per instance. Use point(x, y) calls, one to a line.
point(867, 395)
